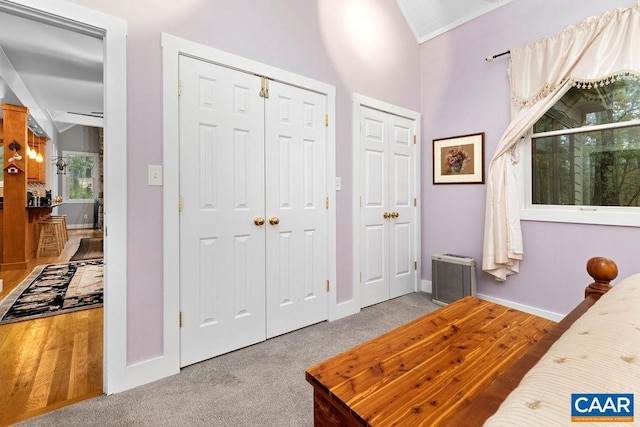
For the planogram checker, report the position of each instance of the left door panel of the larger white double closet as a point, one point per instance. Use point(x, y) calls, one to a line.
point(222, 264)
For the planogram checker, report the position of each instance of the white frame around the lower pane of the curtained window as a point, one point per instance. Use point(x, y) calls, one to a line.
point(600, 215)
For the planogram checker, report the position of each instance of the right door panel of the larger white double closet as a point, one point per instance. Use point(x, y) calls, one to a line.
point(296, 254)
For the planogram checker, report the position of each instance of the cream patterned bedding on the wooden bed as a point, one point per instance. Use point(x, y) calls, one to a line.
point(599, 353)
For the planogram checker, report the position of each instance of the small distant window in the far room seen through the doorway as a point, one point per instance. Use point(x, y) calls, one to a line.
point(80, 181)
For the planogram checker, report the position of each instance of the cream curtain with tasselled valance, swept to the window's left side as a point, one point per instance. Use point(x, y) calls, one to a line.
point(598, 51)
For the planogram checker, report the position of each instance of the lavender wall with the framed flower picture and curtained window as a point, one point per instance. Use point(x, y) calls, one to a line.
point(461, 94)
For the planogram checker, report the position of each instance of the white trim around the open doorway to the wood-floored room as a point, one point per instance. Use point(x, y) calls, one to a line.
point(114, 33)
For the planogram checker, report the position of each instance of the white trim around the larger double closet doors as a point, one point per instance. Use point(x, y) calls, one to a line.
point(172, 47)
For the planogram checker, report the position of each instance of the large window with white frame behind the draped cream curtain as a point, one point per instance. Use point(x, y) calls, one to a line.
point(583, 157)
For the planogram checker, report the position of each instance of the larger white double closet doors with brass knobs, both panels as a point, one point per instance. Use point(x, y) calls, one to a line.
point(253, 255)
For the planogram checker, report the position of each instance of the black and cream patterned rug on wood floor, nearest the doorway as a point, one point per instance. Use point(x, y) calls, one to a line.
point(53, 289)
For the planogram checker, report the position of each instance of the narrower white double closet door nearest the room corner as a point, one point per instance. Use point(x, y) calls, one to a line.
point(388, 206)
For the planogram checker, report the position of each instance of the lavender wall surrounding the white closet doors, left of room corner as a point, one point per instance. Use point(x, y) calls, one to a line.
point(359, 46)
